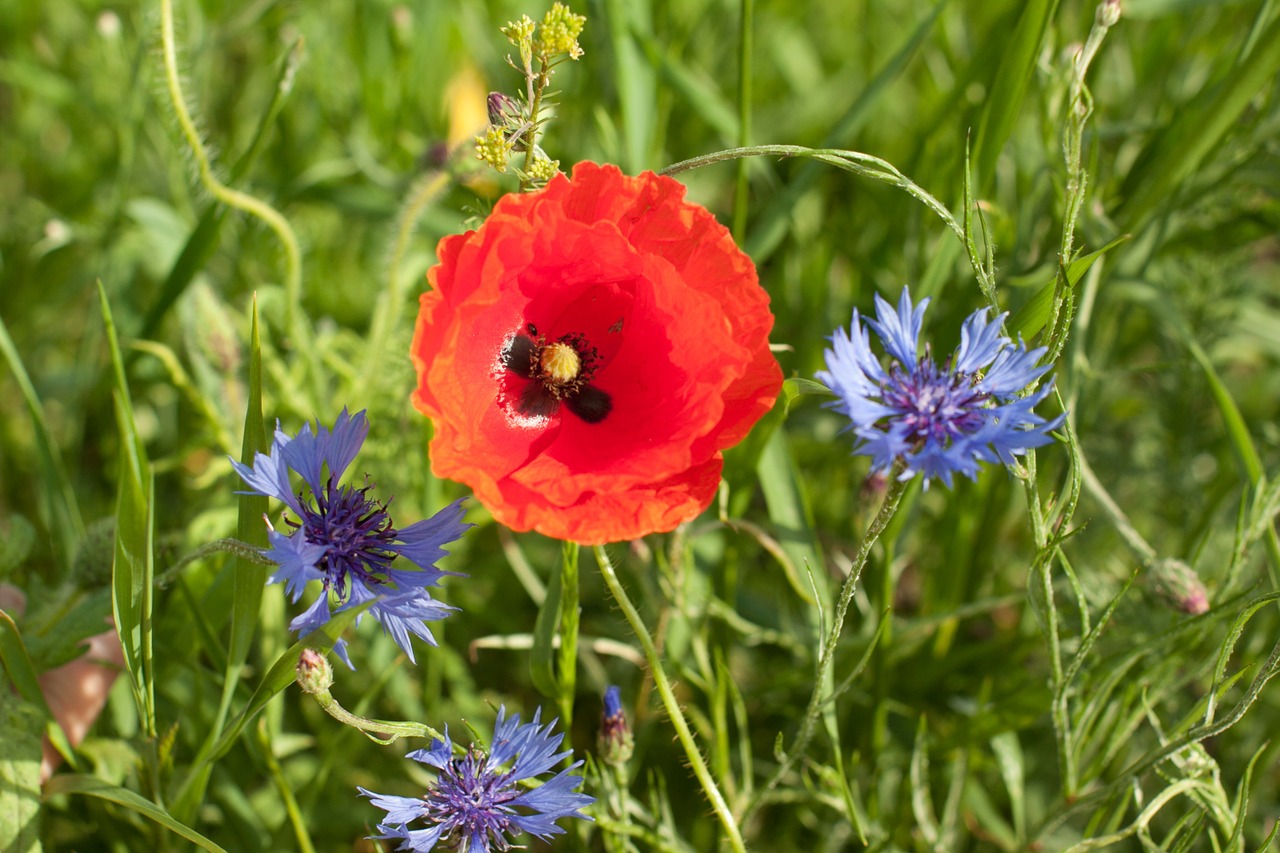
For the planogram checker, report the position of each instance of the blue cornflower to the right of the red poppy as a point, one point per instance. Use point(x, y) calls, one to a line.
point(938, 419)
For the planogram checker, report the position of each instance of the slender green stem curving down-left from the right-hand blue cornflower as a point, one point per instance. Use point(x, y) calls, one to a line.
point(828, 658)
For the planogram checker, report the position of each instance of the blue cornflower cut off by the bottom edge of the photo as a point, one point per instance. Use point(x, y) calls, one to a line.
point(478, 806)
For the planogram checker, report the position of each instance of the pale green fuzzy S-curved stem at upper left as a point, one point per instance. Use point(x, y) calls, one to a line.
point(228, 197)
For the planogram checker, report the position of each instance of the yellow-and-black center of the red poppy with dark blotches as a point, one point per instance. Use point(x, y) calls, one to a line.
point(557, 372)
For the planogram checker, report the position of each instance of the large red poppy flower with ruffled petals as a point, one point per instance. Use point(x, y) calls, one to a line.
point(588, 353)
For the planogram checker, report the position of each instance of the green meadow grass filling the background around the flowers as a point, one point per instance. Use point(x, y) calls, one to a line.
point(218, 216)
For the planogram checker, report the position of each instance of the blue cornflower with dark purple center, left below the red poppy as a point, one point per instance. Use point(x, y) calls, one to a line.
point(345, 539)
